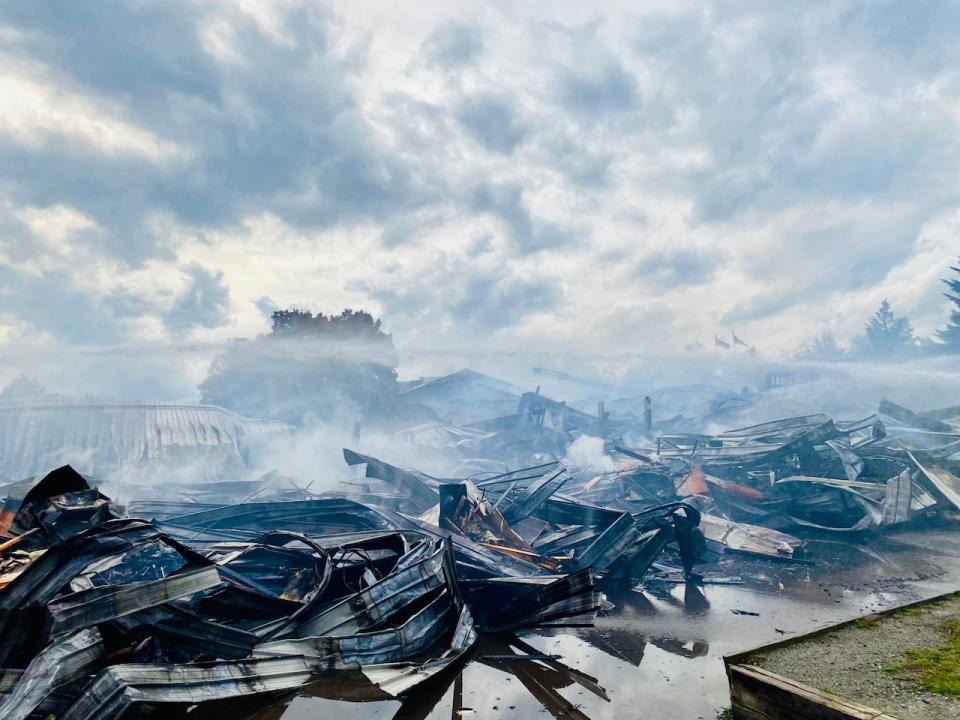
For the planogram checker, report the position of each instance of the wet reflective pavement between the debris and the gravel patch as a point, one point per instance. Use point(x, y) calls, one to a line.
point(658, 654)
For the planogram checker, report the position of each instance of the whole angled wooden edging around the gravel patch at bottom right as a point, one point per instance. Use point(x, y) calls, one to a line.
point(758, 694)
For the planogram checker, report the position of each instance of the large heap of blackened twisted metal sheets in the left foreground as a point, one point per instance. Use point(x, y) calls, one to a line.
point(104, 615)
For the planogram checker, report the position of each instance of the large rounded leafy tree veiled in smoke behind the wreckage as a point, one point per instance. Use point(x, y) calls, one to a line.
point(337, 368)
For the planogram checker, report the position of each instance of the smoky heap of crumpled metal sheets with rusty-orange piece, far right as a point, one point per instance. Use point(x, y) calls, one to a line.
point(885, 470)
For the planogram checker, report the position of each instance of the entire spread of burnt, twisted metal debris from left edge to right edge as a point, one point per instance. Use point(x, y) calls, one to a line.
point(244, 589)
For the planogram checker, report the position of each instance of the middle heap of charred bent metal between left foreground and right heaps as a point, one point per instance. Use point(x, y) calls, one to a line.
point(618, 522)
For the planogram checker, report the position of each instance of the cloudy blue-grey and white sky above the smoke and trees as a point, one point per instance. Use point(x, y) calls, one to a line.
point(506, 175)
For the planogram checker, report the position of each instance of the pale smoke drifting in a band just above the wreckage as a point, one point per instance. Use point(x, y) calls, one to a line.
point(686, 391)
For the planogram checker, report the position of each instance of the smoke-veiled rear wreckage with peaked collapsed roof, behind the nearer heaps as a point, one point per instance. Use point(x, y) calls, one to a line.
point(472, 421)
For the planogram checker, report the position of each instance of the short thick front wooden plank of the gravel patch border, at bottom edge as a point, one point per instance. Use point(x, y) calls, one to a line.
point(759, 694)
